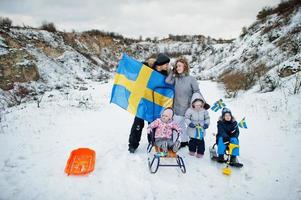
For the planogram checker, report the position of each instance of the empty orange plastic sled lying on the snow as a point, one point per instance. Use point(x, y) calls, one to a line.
point(80, 162)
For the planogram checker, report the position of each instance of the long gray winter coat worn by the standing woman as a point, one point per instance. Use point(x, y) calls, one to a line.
point(185, 86)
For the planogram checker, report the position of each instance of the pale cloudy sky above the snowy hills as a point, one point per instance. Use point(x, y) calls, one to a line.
point(134, 18)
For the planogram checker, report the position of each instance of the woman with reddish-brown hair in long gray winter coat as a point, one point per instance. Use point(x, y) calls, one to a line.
point(185, 86)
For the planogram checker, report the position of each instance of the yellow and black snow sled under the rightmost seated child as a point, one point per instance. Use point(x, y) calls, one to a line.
point(230, 147)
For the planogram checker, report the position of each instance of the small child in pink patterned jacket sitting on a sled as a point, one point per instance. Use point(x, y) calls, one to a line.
point(164, 130)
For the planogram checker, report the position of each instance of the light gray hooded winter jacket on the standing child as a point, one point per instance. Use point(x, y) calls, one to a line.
point(196, 117)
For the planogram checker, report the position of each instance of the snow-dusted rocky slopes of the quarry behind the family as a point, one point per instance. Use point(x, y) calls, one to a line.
point(44, 60)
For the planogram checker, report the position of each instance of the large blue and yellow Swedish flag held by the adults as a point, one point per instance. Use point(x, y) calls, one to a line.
point(140, 90)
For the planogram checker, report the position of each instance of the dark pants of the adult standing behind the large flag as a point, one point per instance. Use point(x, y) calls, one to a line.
point(136, 131)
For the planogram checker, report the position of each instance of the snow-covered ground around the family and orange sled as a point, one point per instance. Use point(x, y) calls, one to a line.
point(36, 142)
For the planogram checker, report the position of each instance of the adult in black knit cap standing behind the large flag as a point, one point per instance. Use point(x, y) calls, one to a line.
point(161, 66)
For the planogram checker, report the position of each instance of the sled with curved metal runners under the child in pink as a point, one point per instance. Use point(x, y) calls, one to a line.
point(155, 156)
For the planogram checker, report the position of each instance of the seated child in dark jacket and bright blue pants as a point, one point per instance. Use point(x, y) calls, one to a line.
point(227, 131)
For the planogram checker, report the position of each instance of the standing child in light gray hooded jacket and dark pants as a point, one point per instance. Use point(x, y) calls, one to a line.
point(197, 119)
